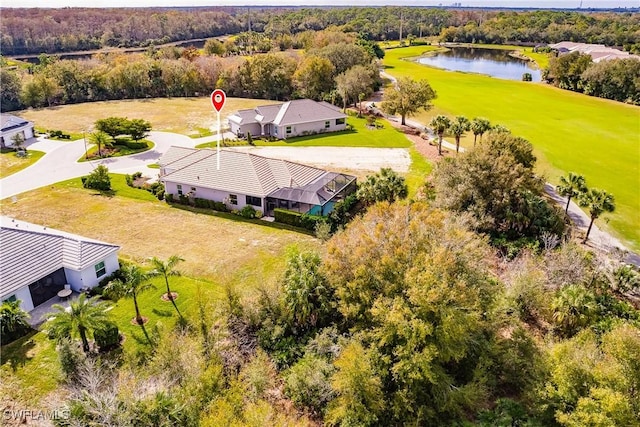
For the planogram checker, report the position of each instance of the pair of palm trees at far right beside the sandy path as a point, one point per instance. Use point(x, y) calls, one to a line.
point(595, 200)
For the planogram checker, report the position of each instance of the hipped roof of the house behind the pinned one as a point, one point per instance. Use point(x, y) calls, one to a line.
point(288, 113)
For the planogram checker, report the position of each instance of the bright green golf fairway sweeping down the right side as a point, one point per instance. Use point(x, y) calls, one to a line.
point(570, 131)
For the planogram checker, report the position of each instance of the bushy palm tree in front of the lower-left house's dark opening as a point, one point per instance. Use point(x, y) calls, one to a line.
point(83, 315)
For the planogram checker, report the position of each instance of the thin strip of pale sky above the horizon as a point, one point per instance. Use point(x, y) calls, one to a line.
point(183, 3)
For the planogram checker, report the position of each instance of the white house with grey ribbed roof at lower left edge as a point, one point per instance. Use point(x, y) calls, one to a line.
point(37, 262)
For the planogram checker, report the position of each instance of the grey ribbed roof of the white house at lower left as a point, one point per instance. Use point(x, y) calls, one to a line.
point(29, 252)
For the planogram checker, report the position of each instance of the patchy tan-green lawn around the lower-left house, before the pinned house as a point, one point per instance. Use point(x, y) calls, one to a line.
point(219, 250)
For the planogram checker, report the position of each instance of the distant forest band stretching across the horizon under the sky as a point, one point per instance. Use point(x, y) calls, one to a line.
point(62, 30)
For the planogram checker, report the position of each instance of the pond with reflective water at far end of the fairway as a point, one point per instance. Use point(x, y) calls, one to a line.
point(493, 62)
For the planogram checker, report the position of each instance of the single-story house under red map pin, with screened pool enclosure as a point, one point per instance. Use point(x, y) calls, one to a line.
point(249, 179)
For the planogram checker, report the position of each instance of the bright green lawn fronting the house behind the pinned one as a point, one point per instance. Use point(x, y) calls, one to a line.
point(385, 137)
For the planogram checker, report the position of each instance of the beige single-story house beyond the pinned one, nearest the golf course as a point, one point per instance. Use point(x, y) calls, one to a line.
point(284, 120)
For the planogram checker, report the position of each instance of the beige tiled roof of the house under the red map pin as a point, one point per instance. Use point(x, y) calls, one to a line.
point(240, 172)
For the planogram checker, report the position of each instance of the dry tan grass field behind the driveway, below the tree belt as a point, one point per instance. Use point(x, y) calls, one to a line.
point(188, 116)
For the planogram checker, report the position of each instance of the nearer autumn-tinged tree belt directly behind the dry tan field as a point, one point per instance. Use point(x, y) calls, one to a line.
point(337, 67)
